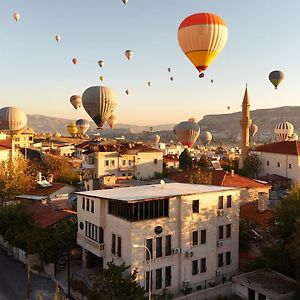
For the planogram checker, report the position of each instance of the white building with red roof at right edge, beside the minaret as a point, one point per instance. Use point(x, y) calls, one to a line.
point(281, 158)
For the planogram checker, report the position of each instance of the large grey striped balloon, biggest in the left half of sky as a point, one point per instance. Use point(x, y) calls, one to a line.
point(99, 102)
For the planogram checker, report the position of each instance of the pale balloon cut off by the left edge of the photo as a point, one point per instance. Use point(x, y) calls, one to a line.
point(12, 119)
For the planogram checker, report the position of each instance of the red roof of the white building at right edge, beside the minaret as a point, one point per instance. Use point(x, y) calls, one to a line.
point(286, 147)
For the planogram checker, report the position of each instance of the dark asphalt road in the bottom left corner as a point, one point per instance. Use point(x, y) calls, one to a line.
point(12, 281)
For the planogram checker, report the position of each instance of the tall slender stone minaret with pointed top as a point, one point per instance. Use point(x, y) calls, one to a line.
point(245, 125)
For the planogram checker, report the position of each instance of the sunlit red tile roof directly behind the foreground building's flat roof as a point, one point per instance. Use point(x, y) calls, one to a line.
point(221, 178)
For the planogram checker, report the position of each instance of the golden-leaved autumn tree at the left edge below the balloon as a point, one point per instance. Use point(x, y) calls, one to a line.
point(16, 178)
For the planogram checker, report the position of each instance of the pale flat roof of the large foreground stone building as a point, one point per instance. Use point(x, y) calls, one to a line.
point(154, 191)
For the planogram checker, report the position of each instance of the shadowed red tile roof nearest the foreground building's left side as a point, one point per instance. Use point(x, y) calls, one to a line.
point(45, 215)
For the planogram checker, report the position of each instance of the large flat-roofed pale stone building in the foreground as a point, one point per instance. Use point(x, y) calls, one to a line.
point(191, 230)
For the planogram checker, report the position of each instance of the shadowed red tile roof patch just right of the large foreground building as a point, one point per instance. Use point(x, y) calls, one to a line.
point(249, 211)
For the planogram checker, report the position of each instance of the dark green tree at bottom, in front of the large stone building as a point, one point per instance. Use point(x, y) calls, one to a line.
point(114, 283)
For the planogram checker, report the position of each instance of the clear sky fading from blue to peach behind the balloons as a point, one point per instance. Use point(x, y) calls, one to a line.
point(37, 74)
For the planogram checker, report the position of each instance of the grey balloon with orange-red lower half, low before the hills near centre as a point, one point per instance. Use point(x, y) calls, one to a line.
point(187, 132)
